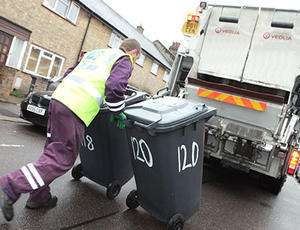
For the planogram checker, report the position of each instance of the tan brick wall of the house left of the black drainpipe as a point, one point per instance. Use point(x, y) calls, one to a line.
point(49, 31)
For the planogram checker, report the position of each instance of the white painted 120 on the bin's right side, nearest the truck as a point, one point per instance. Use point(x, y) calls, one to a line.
point(195, 157)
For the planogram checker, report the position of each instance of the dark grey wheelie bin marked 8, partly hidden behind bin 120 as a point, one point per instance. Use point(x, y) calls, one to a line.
point(104, 153)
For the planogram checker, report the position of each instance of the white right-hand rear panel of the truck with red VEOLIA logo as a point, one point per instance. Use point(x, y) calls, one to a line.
point(274, 57)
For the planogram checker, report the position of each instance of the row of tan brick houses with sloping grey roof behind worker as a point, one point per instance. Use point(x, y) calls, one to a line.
point(43, 38)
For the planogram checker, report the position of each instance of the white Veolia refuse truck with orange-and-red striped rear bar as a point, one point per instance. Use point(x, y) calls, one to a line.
point(244, 61)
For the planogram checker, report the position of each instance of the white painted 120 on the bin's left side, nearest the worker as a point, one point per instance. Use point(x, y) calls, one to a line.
point(145, 156)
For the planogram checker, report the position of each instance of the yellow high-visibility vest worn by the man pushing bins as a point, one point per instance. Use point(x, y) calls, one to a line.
point(83, 90)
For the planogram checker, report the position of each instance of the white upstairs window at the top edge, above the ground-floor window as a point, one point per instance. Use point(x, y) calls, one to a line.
point(65, 8)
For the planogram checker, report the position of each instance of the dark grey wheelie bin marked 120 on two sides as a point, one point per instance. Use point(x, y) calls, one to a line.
point(165, 136)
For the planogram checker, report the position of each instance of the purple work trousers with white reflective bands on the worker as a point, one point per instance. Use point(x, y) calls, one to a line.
point(65, 133)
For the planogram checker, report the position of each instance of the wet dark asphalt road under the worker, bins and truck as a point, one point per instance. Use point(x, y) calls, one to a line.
point(230, 200)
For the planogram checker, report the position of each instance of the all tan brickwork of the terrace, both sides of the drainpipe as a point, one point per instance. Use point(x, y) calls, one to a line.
point(59, 36)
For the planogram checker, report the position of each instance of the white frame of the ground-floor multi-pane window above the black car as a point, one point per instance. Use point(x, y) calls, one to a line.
point(42, 50)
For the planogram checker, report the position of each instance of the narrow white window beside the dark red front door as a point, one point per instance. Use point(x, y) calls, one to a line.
point(16, 53)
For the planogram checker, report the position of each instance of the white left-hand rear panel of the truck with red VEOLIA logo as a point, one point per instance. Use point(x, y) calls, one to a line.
point(227, 41)
